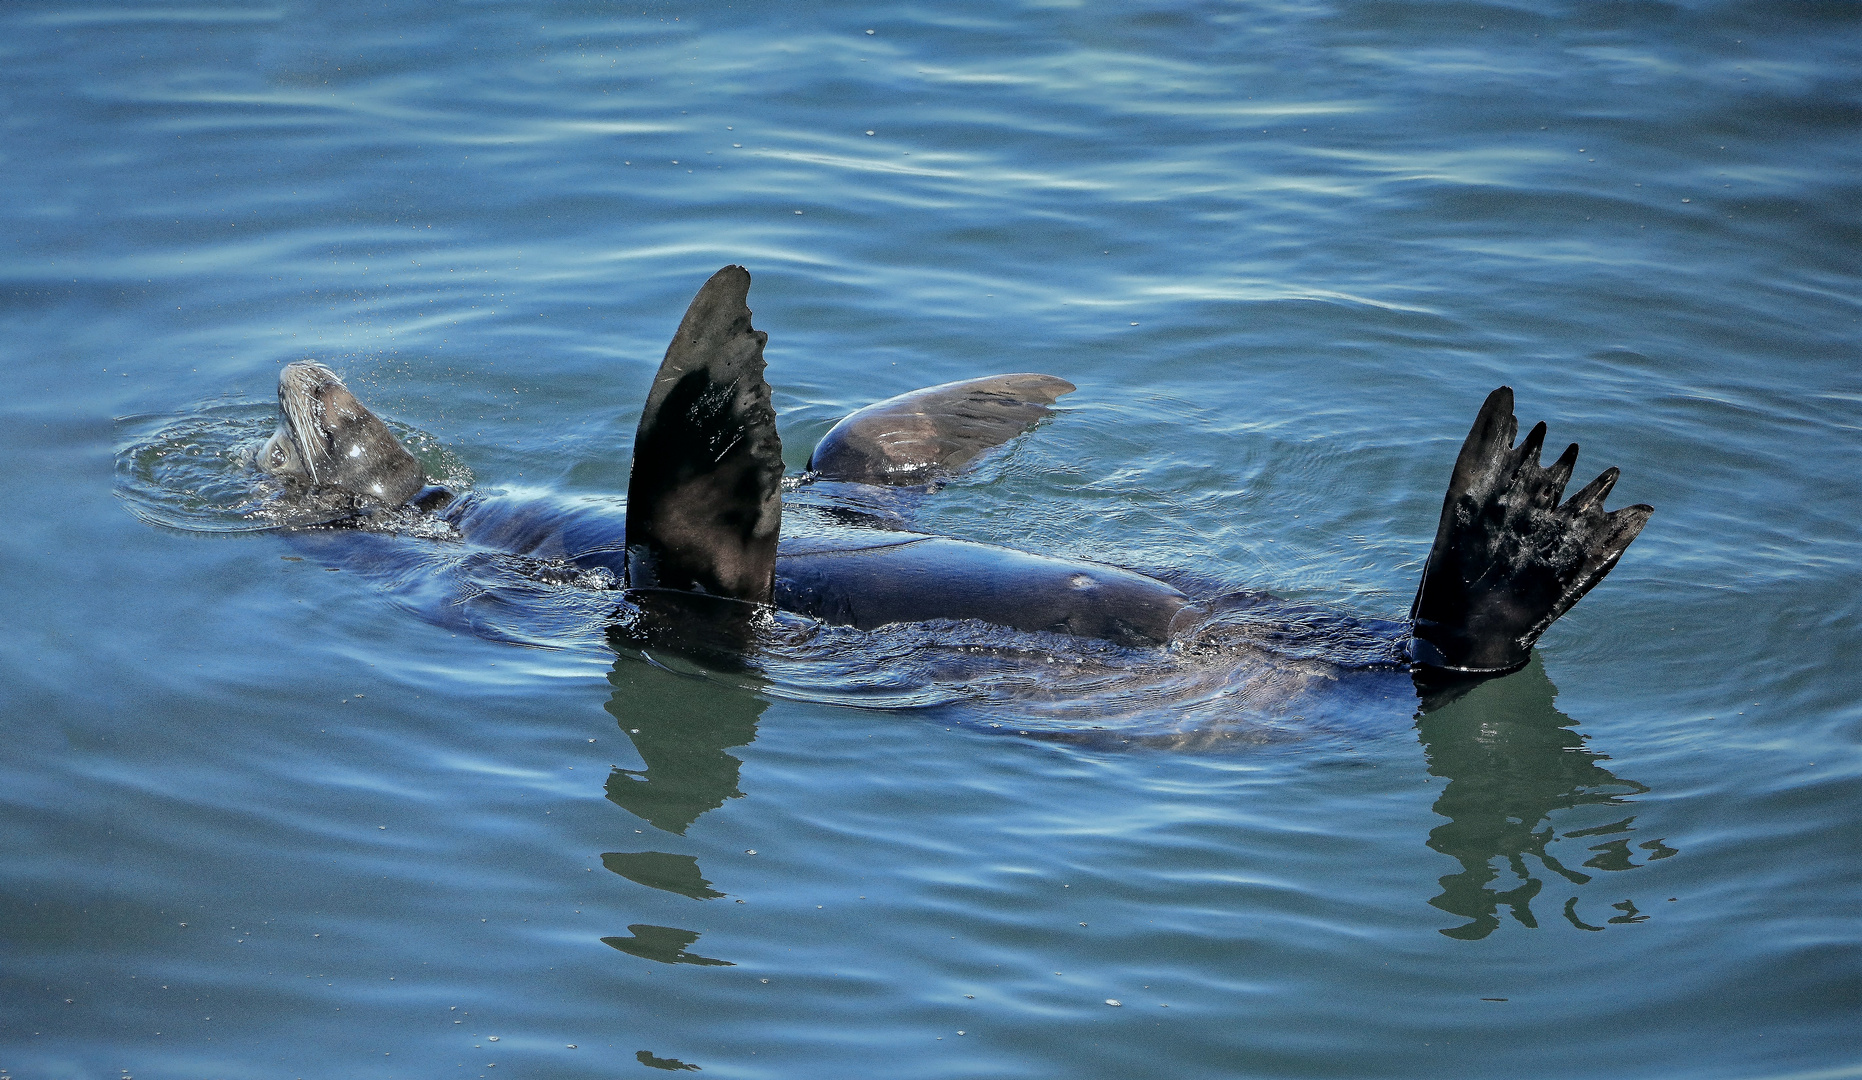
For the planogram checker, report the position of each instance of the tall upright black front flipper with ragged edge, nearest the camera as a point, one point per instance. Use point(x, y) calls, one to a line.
point(705, 502)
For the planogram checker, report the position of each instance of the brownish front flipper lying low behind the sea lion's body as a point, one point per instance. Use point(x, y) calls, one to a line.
point(919, 437)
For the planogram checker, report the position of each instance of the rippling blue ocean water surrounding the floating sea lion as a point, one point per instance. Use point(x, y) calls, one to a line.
point(265, 815)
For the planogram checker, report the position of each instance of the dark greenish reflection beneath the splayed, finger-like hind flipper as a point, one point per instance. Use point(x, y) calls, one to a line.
point(1511, 761)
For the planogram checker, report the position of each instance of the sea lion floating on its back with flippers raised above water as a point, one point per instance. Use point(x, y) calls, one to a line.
point(705, 511)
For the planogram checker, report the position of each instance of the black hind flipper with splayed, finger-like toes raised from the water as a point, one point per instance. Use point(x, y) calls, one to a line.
point(1509, 560)
